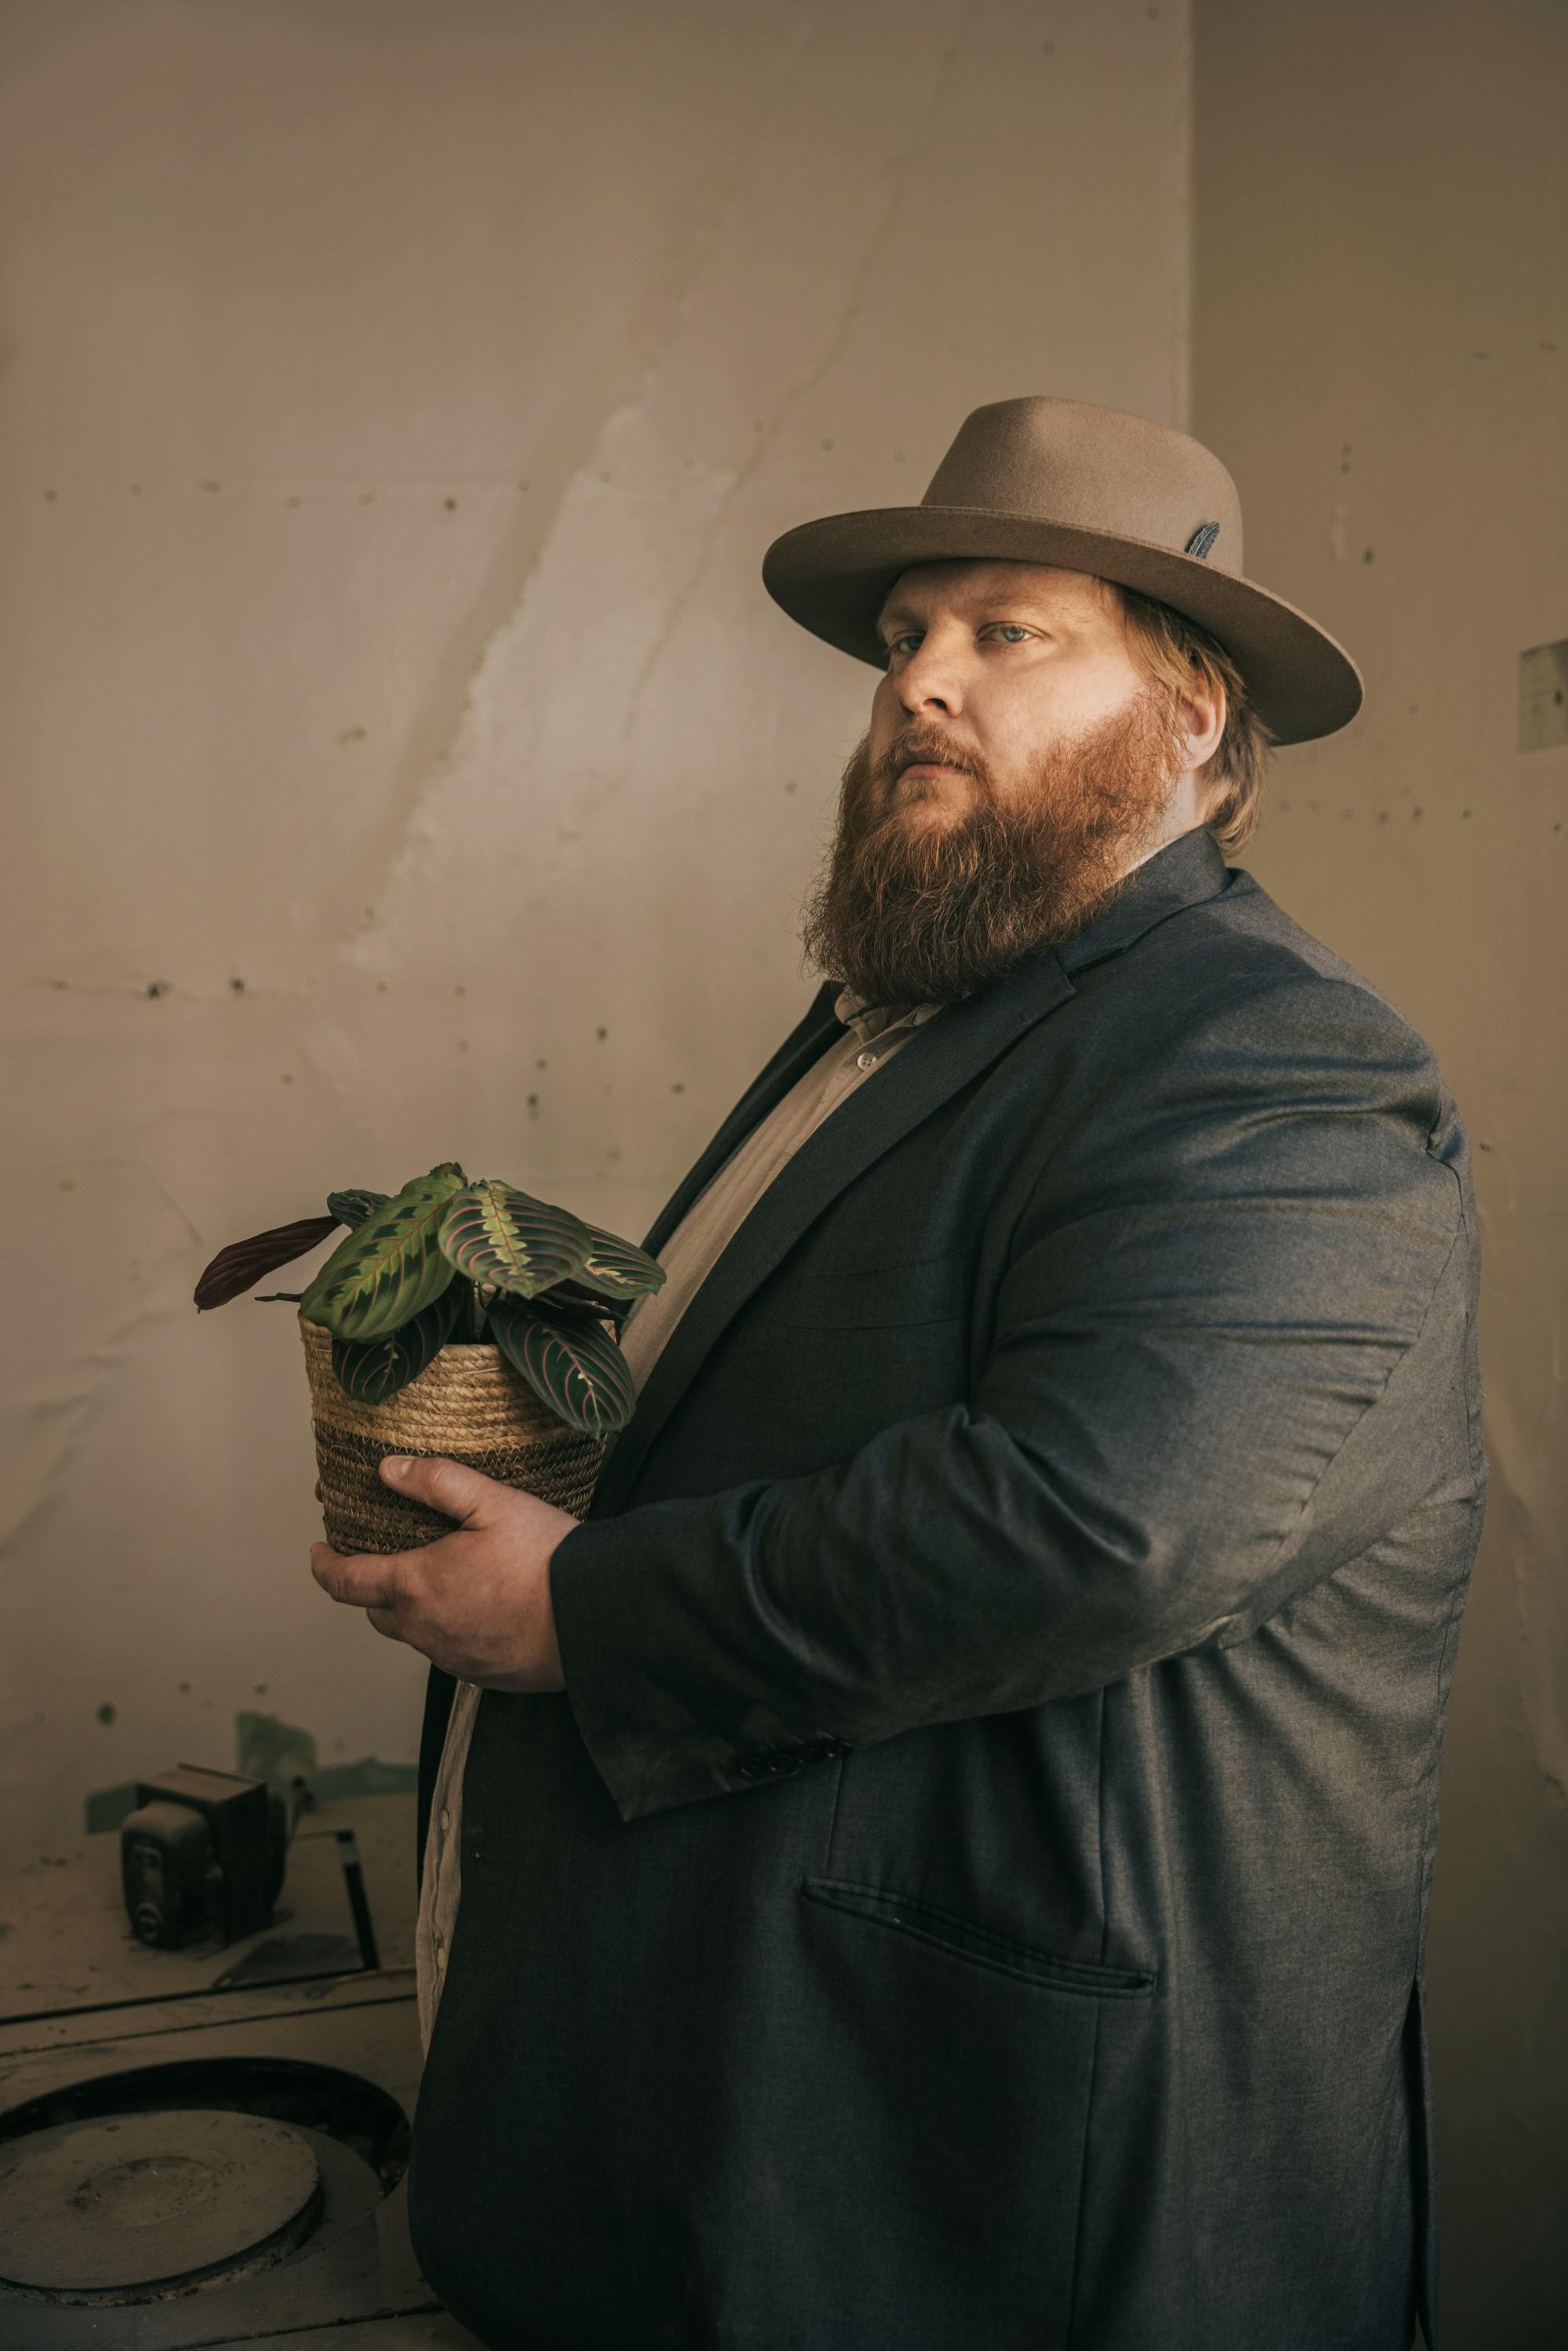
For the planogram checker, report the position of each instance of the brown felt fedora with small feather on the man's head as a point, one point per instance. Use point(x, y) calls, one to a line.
point(1085, 490)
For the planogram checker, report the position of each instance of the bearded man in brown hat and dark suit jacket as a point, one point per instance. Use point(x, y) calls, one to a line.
point(939, 1856)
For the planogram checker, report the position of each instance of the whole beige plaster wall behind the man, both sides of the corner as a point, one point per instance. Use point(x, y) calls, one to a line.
point(394, 413)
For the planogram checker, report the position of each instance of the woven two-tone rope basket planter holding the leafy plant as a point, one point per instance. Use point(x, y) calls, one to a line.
point(471, 1407)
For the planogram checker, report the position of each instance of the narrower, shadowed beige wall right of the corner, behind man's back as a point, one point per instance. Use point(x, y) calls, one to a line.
point(1381, 351)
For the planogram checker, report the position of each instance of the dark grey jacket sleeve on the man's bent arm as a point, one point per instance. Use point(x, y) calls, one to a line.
point(1191, 1327)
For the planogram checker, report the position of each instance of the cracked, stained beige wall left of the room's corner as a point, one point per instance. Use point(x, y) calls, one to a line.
point(403, 756)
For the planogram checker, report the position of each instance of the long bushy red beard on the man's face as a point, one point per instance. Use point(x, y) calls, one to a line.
point(923, 911)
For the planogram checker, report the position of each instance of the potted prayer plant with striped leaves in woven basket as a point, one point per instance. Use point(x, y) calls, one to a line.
point(455, 1318)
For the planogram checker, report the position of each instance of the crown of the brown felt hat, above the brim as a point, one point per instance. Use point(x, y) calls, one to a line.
point(1094, 471)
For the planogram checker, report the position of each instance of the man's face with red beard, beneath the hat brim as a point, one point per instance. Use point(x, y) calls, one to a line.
point(1014, 772)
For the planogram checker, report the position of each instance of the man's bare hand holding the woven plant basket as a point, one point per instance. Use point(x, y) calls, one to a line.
point(478, 1600)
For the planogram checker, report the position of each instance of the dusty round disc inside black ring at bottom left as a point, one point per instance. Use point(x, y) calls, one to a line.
point(152, 2199)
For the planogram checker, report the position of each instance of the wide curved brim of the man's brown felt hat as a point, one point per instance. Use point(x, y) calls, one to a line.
point(833, 577)
